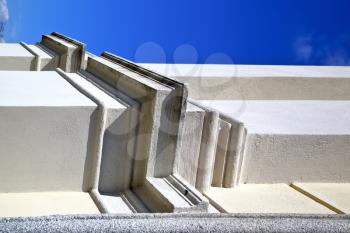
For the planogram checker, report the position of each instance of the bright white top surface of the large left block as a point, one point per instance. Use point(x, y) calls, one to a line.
point(46, 88)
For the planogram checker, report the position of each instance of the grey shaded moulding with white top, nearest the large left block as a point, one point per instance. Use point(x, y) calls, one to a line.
point(113, 165)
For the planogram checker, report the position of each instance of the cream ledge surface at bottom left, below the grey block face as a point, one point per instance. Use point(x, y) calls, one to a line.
point(45, 203)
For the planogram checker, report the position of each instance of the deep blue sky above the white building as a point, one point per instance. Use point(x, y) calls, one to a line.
point(307, 32)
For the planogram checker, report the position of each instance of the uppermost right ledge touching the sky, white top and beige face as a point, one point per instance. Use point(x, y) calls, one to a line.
point(256, 82)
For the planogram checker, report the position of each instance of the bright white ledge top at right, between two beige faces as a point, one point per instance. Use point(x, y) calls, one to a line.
point(305, 117)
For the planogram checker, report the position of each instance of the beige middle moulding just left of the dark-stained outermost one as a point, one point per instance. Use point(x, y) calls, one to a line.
point(153, 98)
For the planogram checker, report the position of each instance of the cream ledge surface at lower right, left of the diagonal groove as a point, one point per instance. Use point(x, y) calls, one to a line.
point(263, 198)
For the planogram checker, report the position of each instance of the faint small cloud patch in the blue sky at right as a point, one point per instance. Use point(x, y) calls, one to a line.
point(303, 48)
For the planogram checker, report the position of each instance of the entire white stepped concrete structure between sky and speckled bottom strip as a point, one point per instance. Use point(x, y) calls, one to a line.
point(121, 138)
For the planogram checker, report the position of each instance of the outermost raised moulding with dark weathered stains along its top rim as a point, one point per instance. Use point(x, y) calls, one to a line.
point(173, 113)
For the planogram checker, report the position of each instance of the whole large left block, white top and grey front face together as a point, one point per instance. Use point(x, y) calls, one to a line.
point(44, 132)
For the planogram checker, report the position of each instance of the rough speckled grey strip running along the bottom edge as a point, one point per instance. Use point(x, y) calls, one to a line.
point(180, 223)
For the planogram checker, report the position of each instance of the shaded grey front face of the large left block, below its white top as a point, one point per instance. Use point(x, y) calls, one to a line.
point(43, 148)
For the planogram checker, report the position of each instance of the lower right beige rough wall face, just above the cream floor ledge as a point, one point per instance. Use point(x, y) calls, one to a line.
point(296, 158)
